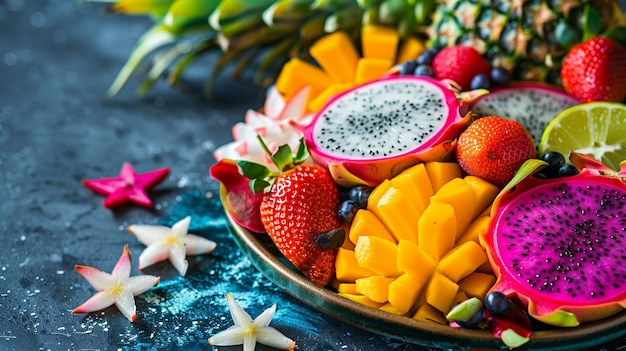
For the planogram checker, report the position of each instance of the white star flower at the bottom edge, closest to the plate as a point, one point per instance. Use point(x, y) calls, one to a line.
point(248, 332)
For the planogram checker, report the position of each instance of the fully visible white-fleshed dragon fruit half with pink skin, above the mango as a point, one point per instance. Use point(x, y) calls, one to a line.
point(374, 131)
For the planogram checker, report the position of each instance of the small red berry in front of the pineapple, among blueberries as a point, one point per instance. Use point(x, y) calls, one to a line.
point(461, 64)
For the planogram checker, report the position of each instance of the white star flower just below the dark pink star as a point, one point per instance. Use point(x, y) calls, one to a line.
point(170, 243)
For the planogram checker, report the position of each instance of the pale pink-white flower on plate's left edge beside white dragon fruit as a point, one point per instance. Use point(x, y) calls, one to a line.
point(274, 125)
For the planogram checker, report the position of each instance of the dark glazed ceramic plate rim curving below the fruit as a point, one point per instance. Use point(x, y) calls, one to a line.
point(265, 256)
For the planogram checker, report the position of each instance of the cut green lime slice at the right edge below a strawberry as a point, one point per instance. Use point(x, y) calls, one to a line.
point(597, 129)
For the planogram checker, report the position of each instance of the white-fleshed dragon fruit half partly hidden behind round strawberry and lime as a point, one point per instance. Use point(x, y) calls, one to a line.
point(533, 104)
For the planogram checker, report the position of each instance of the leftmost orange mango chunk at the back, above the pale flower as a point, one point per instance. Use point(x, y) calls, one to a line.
point(296, 74)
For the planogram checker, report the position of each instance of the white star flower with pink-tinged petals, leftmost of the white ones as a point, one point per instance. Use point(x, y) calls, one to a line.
point(116, 288)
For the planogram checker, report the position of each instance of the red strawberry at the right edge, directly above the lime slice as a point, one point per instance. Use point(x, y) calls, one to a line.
point(596, 71)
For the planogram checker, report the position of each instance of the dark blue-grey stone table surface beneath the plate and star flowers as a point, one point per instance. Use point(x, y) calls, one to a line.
point(56, 60)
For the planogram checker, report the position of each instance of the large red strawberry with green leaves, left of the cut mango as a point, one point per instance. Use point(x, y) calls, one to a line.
point(300, 206)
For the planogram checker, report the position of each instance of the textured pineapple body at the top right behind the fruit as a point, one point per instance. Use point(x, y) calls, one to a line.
point(528, 37)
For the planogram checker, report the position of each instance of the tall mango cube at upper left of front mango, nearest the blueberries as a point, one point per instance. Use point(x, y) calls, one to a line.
point(398, 214)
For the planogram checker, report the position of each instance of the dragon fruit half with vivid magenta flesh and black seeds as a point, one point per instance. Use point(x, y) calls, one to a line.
point(557, 245)
